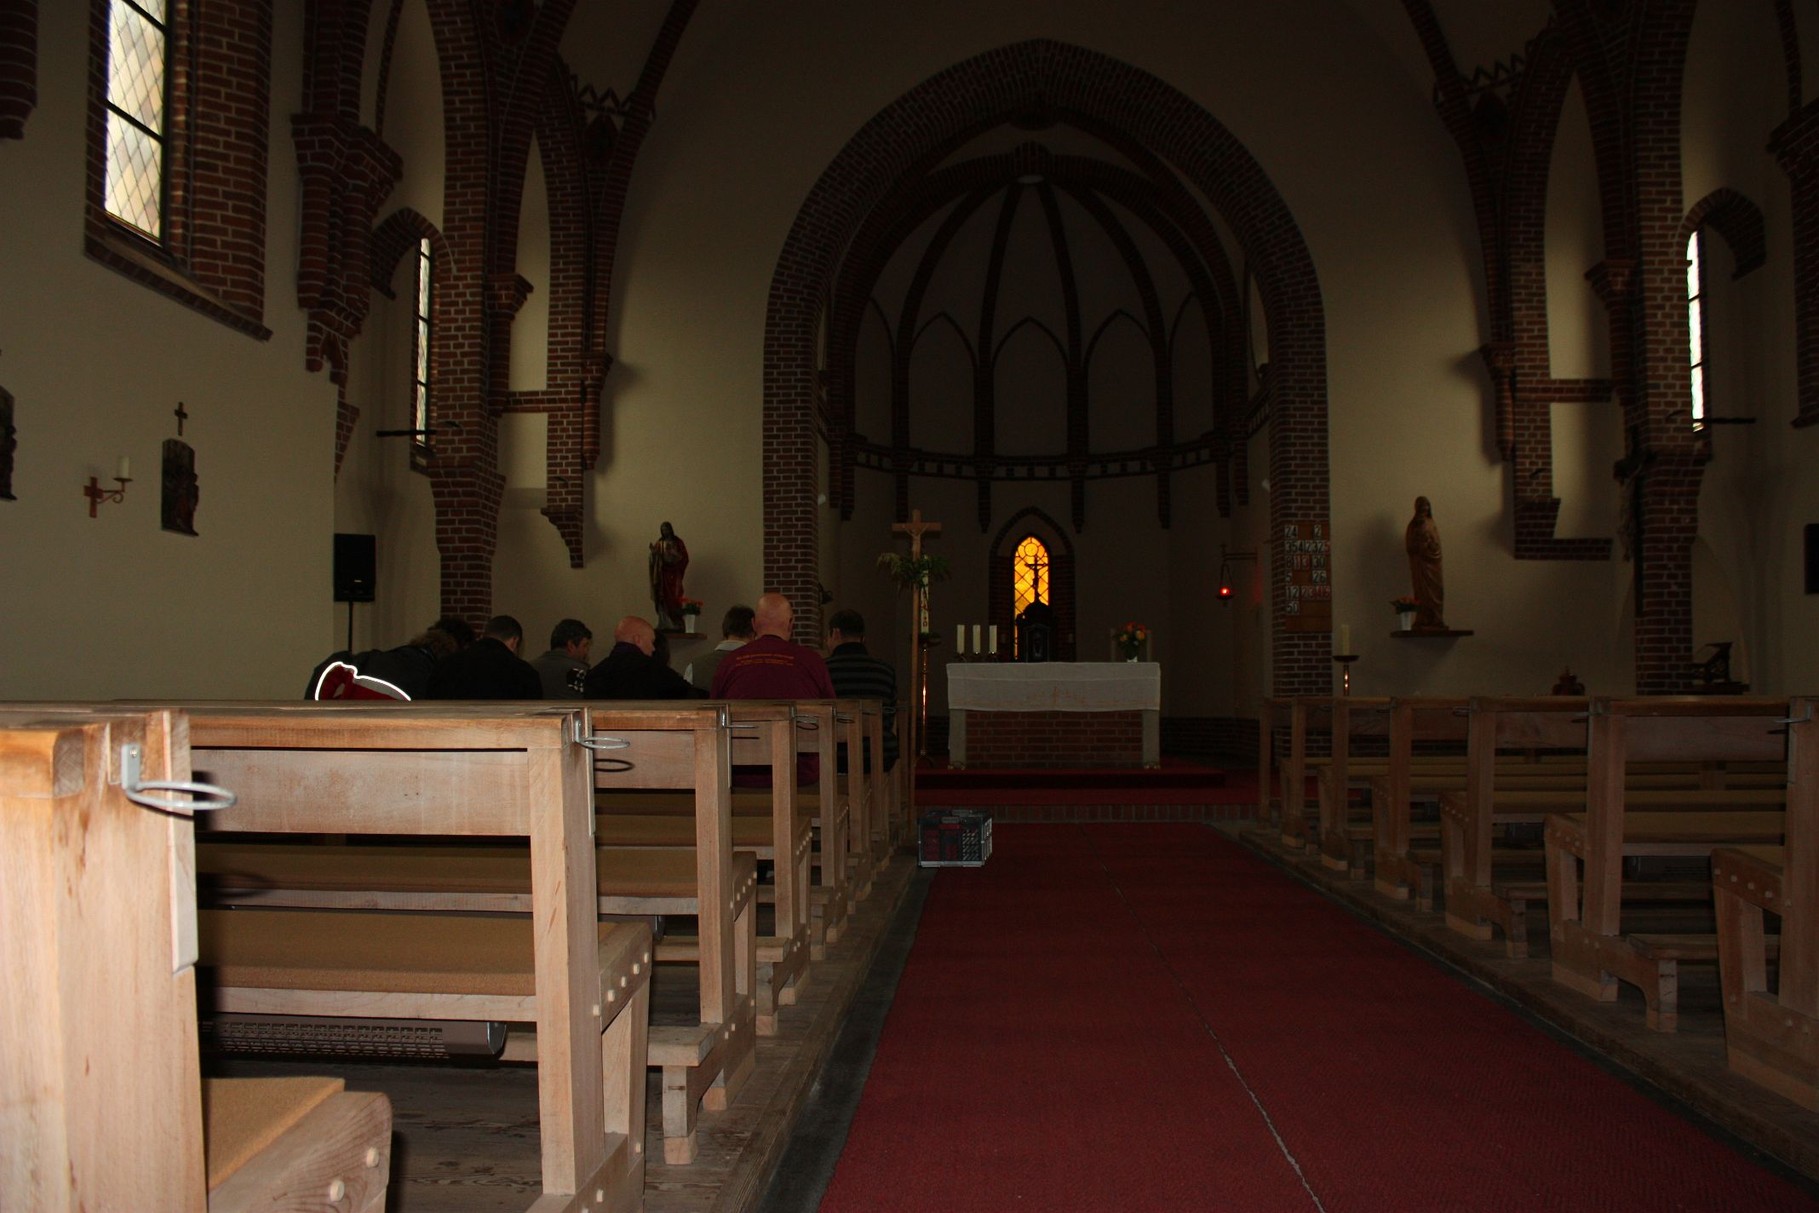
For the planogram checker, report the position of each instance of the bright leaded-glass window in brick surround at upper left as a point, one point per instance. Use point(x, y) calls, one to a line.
point(136, 115)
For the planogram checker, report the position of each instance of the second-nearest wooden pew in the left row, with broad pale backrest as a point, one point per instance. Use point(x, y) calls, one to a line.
point(452, 770)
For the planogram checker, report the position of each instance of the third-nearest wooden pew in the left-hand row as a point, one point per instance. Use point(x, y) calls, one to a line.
point(667, 747)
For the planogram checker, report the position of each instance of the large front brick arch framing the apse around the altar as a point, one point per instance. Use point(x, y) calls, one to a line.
point(934, 117)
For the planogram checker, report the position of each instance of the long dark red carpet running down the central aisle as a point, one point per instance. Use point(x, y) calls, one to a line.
point(1147, 1018)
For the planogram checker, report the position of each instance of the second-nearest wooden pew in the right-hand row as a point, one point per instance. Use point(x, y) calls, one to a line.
point(1591, 952)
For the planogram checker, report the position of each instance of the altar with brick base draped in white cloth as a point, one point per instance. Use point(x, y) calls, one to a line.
point(1054, 716)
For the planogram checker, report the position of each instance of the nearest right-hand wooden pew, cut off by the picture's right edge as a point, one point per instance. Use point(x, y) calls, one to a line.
point(1773, 1038)
